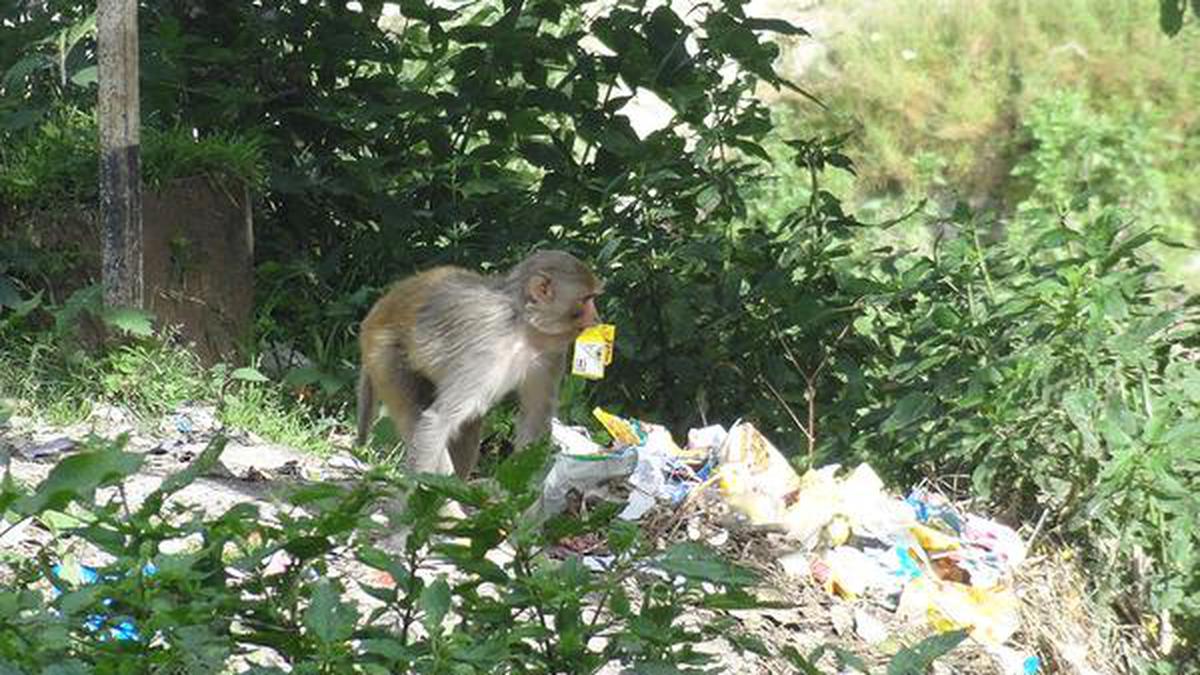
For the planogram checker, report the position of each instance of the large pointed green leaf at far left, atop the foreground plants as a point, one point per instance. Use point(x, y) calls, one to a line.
point(77, 477)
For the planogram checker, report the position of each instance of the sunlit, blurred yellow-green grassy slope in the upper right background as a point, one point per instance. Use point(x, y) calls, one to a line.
point(947, 99)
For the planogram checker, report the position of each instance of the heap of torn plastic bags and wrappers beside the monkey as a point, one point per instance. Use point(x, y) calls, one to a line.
point(917, 557)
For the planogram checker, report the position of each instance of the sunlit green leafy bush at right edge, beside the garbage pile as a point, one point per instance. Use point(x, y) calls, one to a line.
point(1053, 372)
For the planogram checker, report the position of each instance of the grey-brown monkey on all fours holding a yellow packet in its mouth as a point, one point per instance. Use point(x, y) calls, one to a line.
point(443, 347)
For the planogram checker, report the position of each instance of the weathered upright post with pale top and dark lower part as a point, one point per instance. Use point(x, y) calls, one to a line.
point(121, 169)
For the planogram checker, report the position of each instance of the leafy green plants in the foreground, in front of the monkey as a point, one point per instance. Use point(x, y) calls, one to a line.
point(195, 590)
